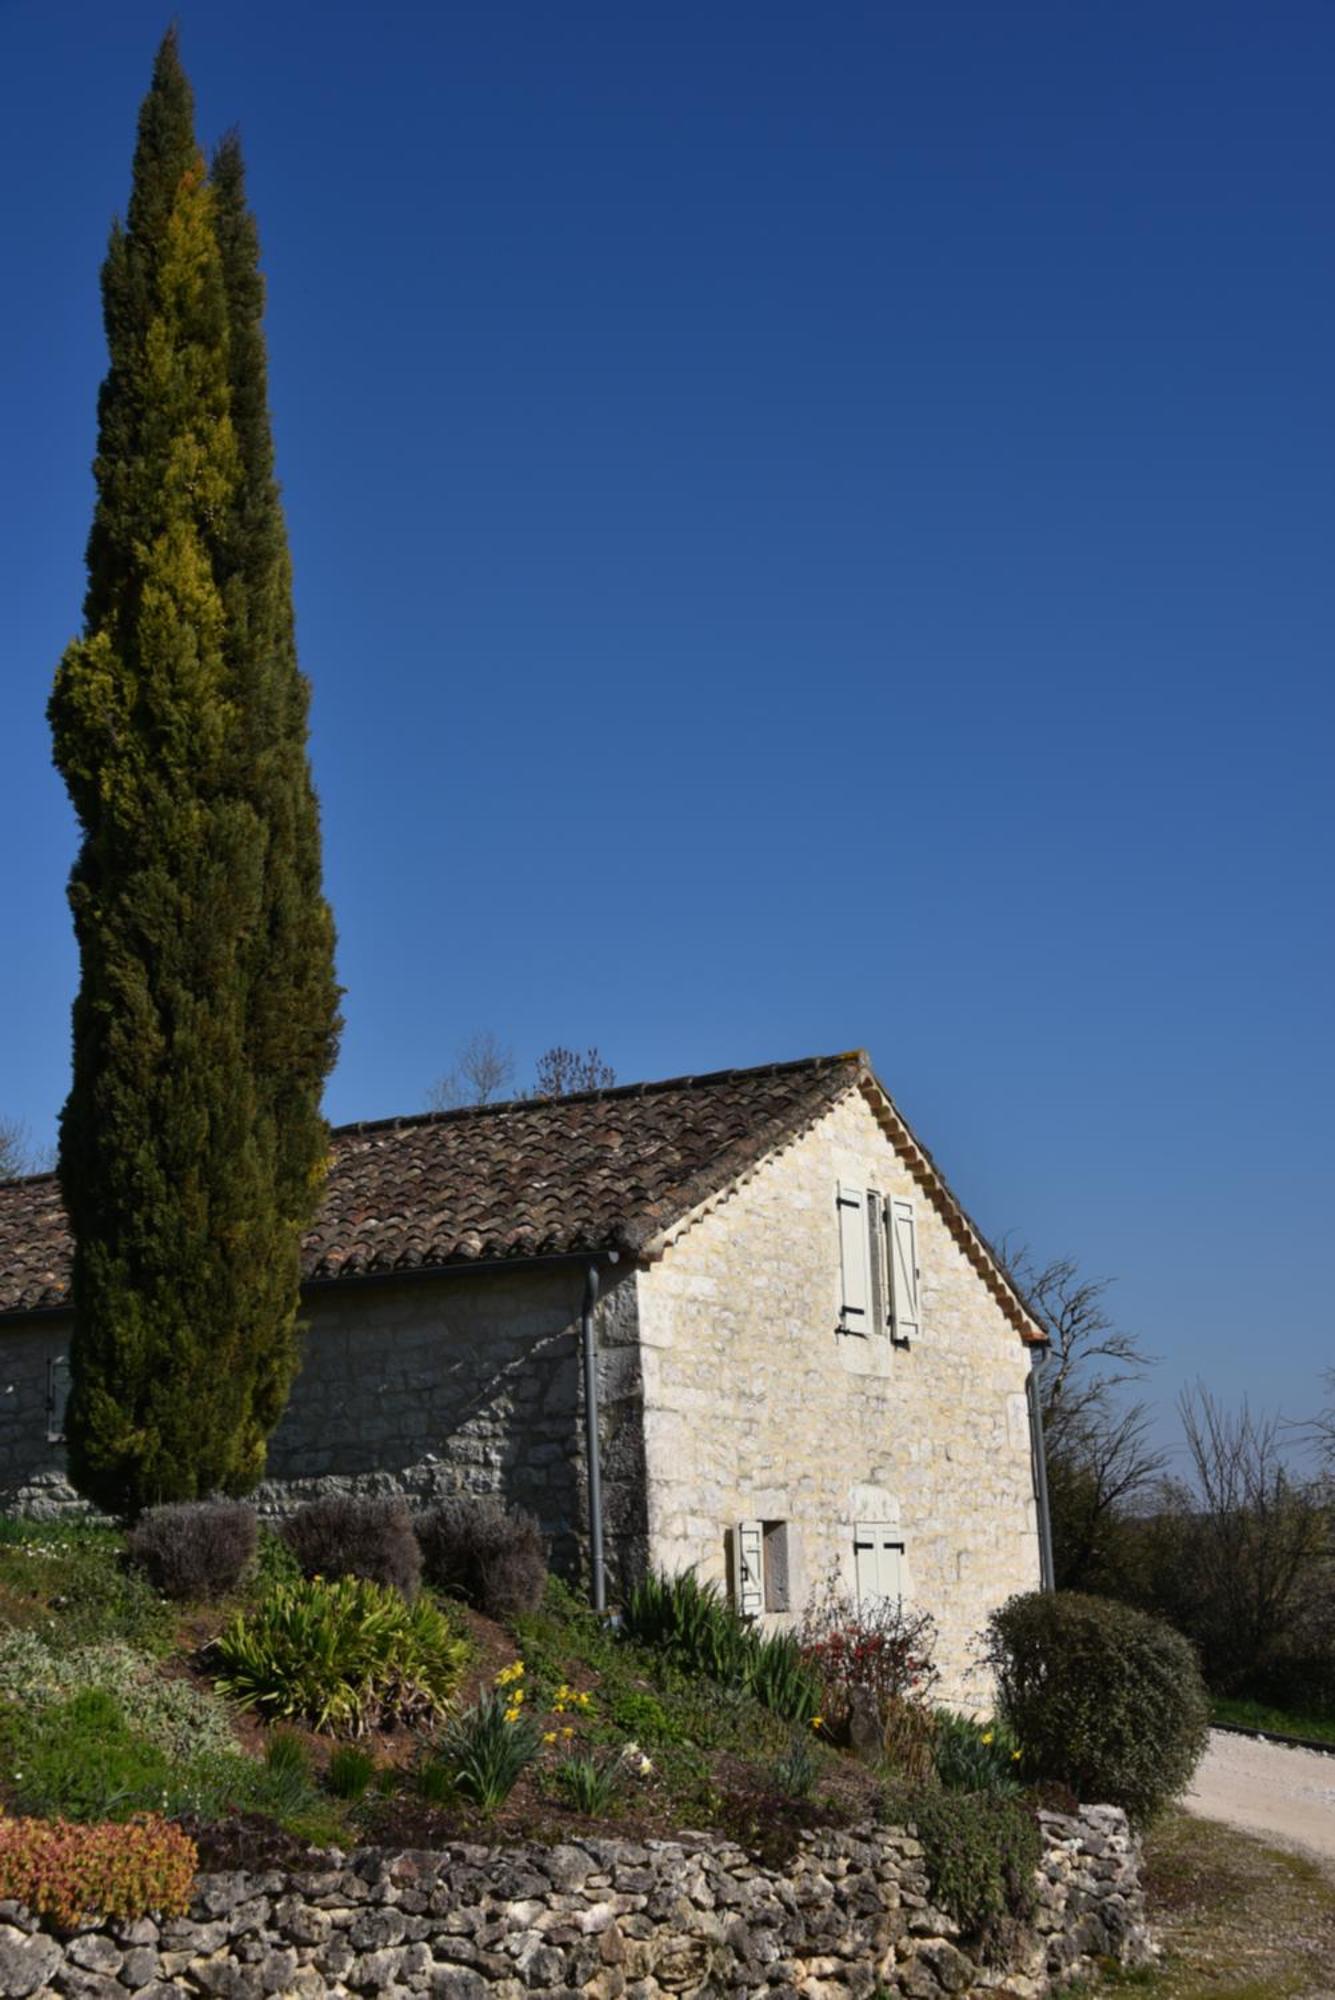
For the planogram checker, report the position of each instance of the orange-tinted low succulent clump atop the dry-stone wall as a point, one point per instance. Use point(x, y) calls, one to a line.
point(73, 1875)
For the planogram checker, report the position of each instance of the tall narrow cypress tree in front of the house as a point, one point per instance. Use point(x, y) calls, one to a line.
point(191, 1145)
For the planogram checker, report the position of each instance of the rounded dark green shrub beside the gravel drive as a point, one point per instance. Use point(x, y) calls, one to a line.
point(1100, 1697)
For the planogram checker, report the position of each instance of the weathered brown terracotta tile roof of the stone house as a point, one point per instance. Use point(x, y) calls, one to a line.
point(543, 1177)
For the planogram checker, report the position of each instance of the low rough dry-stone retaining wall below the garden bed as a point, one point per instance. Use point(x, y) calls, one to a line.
point(607, 1921)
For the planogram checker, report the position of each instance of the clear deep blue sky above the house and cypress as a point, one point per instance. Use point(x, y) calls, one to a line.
point(812, 527)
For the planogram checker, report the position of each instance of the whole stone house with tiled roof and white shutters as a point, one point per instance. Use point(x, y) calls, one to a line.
point(808, 1359)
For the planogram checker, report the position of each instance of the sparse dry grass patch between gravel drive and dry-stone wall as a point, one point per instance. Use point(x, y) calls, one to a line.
point(1238, 1921)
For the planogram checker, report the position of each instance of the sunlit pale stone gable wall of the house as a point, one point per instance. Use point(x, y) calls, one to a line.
point(760, 1409)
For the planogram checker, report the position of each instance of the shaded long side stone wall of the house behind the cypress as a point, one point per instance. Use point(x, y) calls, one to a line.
point(421, 1389)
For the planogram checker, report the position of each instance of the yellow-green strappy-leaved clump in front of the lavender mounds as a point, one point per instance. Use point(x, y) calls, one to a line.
point(343, 1657)
